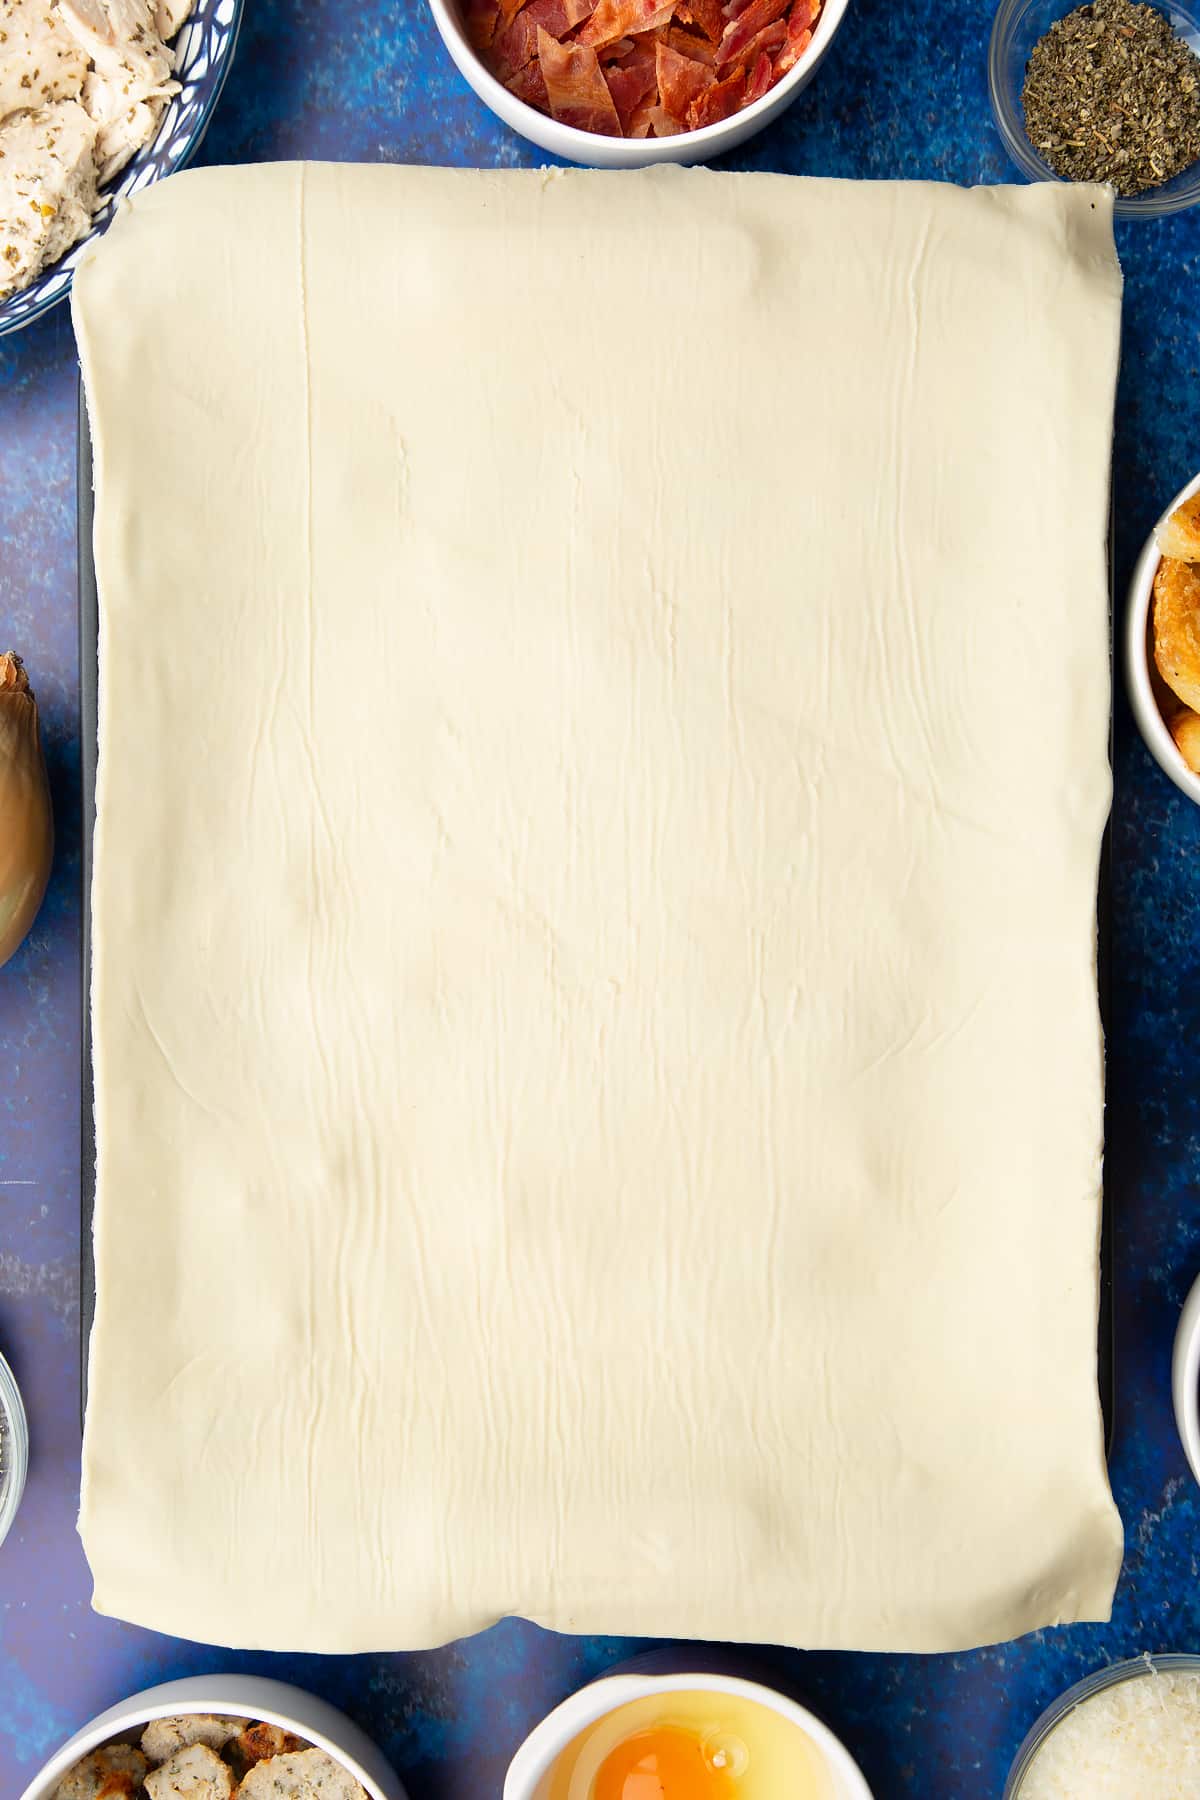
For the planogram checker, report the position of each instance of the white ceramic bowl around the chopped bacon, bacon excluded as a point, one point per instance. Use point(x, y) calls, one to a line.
point(632, 152)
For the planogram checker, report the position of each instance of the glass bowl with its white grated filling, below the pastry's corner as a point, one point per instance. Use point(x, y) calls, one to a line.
point(1133, 1729)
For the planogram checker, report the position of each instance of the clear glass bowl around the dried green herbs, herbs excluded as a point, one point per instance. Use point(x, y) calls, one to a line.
point(1017, 28)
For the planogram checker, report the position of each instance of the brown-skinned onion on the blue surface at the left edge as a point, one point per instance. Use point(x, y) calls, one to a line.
point(26, 818)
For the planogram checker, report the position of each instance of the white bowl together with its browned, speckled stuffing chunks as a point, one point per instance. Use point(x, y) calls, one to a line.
point(219, 1738)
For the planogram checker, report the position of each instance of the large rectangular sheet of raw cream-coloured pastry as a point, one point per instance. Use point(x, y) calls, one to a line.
point(604, 762)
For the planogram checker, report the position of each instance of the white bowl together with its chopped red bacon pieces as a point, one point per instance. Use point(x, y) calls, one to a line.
point(620, 84)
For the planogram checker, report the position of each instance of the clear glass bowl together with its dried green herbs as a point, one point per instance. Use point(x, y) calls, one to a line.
point(1102, 93)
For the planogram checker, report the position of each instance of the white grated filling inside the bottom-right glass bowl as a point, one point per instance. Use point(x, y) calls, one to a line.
point(1138, 1740)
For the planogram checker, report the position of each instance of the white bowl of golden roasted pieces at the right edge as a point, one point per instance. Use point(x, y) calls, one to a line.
point(1163, 642)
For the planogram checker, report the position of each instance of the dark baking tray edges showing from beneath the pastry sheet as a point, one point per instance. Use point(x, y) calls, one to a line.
point(89, 703)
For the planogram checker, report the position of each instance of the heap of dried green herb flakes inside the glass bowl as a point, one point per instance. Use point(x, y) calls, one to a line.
point(1115, 96)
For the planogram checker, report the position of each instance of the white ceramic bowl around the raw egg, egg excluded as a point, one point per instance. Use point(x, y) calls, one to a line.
point(546, 1743)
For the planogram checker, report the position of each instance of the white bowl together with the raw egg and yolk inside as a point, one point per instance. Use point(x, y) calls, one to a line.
point(690, 1736)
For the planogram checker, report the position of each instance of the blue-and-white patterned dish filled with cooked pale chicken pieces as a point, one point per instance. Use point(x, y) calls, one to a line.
point(98, 98)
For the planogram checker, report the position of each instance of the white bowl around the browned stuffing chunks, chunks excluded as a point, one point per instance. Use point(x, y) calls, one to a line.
point(238, 1696)
